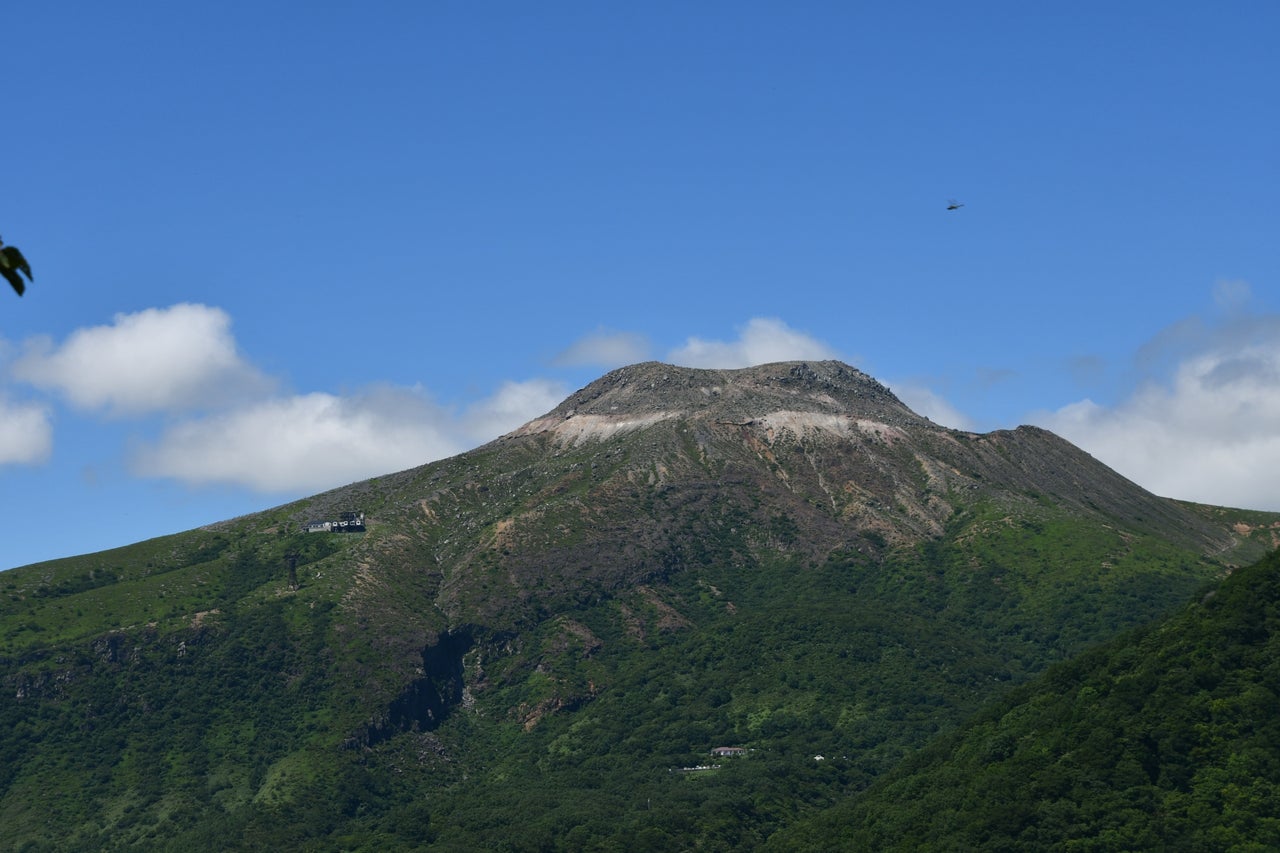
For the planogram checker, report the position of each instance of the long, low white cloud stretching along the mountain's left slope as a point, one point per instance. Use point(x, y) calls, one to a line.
point(319, 441)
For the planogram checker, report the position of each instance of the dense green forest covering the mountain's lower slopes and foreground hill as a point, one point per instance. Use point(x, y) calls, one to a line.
point(595, 729)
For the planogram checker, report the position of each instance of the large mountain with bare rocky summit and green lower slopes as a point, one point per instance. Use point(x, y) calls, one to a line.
point(533, 645)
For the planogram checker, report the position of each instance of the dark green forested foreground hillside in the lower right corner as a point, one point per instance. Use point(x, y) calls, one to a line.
point(1167, 740)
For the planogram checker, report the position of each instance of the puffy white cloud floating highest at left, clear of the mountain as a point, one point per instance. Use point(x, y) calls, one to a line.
point(156, 361)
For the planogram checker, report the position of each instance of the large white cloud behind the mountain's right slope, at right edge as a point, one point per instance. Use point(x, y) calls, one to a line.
point(1212, 434)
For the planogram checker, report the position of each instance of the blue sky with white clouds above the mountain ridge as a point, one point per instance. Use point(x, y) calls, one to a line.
point(285, 247)
